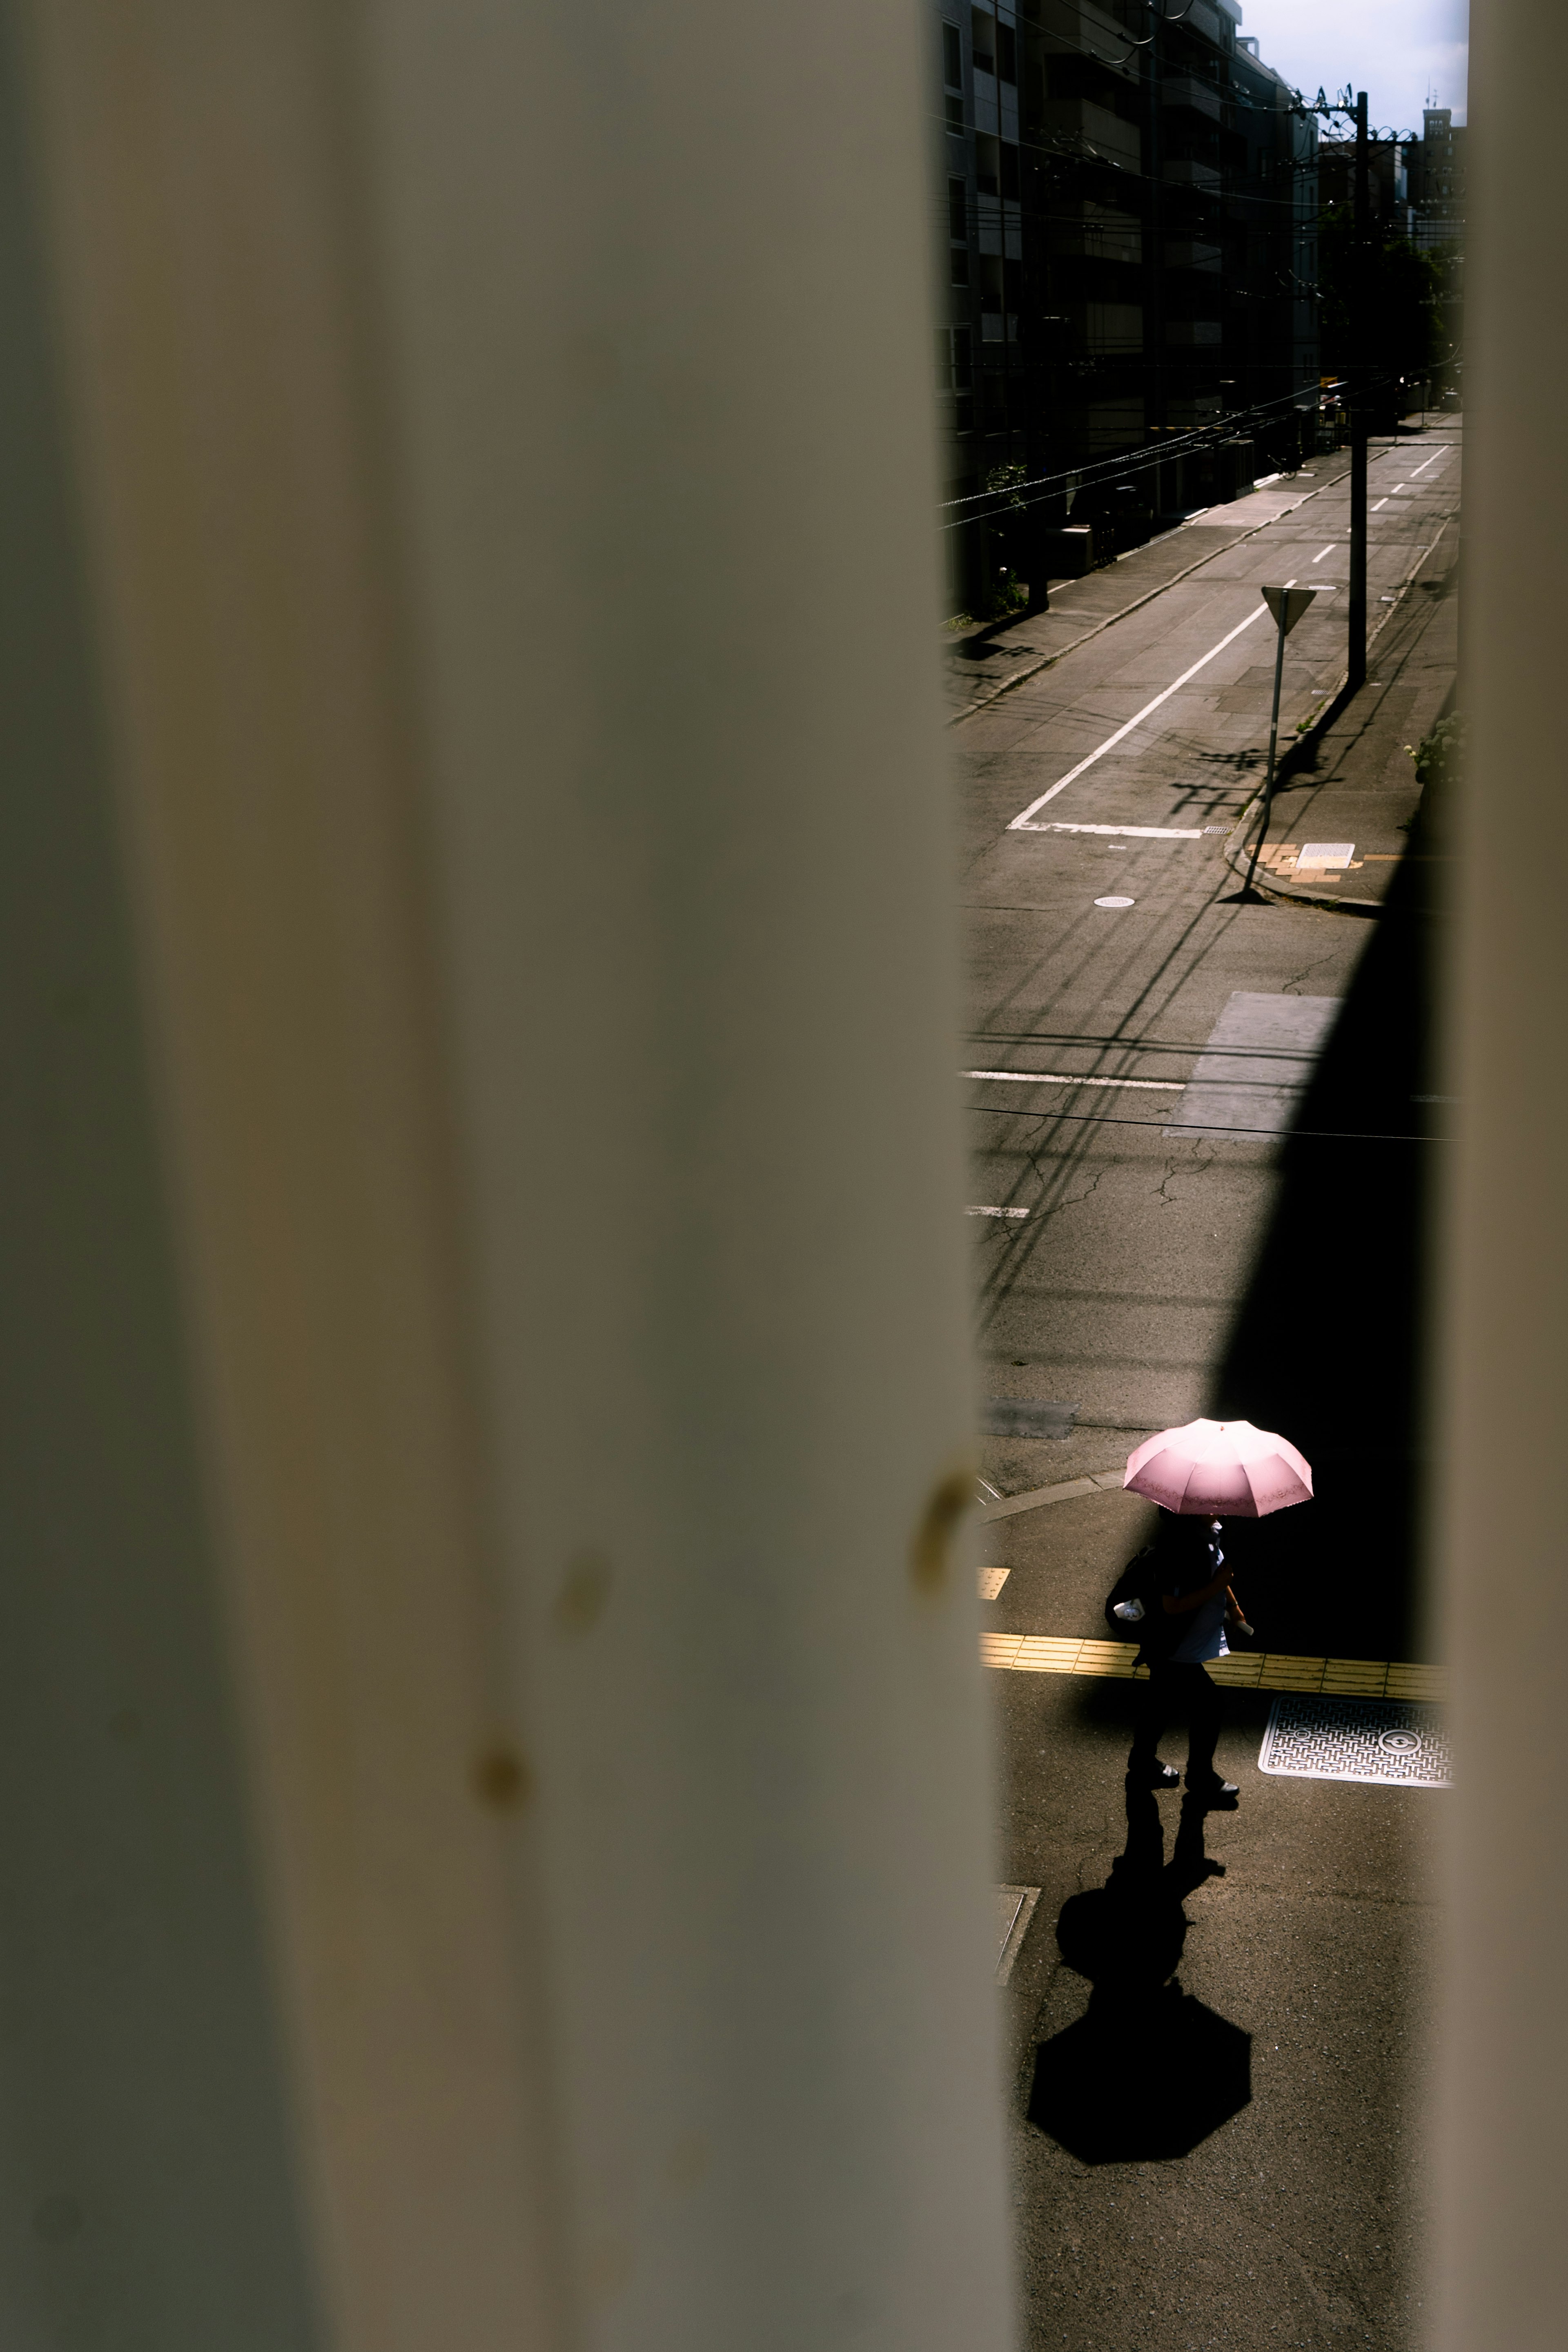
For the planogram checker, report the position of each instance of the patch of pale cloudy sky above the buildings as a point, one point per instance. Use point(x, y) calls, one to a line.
point(1398, 51)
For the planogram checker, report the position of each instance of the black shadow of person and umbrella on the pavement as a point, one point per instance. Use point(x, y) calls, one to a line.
point(1148, 2071)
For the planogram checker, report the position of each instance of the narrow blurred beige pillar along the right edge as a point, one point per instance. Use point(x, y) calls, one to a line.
point(1506, 2050)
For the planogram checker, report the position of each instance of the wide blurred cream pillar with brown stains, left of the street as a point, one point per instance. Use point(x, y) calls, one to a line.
point(507, 469)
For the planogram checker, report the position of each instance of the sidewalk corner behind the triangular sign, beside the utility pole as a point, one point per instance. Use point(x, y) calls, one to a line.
point(1351, 787)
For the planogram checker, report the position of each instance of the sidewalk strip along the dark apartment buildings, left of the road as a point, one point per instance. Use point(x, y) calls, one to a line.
point(989, 660)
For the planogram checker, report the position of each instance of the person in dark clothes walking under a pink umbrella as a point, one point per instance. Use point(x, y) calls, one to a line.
point(1202, 1471)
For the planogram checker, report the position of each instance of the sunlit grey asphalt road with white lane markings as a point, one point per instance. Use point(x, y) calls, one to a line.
point(1148, 1276)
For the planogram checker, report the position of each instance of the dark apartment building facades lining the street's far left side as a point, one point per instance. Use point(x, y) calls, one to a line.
point(1127, 250)
